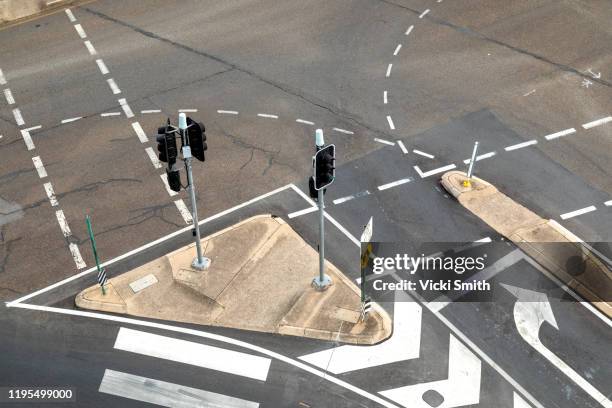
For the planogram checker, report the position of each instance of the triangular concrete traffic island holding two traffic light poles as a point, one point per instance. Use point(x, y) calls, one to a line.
point(259, 279)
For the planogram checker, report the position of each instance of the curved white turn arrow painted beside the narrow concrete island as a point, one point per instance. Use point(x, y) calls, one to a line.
point(531, 310)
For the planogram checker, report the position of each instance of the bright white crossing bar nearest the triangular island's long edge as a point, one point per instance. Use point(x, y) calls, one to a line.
point(196, 354)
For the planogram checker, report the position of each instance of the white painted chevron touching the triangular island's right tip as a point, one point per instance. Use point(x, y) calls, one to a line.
point(403, 345)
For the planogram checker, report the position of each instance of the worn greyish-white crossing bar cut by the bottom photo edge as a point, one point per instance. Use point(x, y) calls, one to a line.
point(165, 394)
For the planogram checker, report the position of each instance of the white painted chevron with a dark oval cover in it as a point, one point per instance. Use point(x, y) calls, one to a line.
point(462, 387)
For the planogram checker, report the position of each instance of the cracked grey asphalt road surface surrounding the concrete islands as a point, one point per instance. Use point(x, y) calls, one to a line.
point(404, 89)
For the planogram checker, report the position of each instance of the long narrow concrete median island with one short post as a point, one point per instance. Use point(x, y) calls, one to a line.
point(568, 260)
